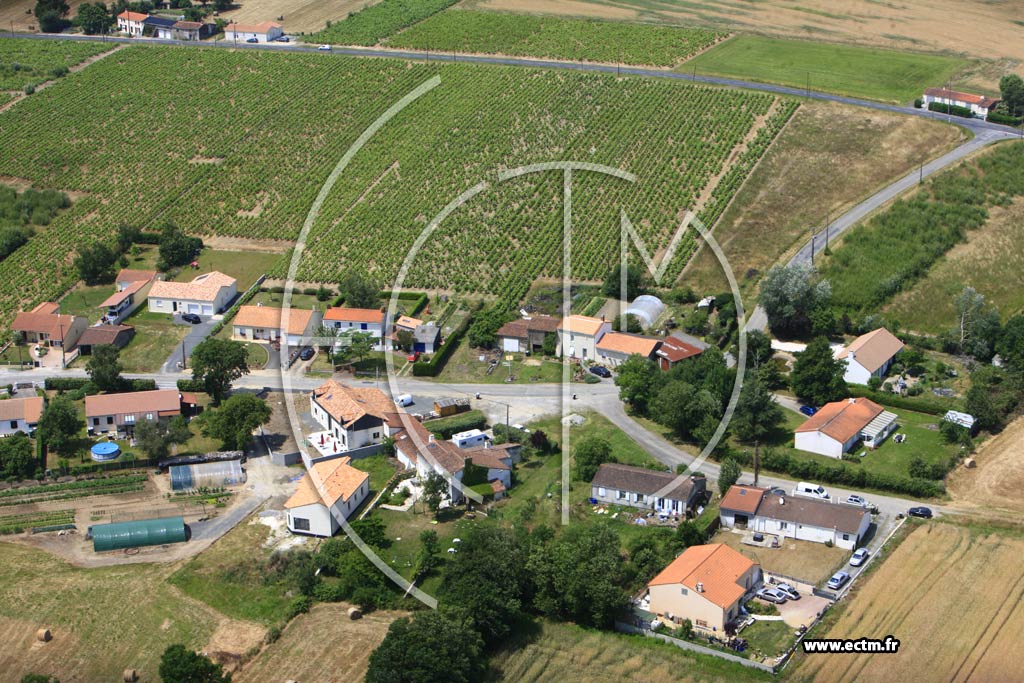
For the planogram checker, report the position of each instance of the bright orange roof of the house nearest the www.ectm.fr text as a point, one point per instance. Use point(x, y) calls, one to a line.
point(716, 567)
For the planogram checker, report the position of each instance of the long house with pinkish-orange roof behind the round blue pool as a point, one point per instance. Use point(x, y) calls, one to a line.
point(119, 413)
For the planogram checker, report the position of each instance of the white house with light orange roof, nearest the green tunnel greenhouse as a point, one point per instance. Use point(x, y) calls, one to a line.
point(330, 491)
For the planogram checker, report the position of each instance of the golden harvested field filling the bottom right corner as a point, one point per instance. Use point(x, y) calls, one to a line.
point(952, 596)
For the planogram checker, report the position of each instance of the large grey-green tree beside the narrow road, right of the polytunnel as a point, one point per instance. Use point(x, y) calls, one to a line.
point(790, 296)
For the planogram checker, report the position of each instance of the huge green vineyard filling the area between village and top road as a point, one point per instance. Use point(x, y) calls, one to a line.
point(244, 151)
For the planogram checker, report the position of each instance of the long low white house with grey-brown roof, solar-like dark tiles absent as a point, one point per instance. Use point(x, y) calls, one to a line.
point(639, 488)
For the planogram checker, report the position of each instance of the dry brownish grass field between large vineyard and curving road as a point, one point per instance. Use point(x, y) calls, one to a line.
point(829, 158)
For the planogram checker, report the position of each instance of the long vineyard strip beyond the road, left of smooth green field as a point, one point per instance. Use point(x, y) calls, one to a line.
point(583, 40)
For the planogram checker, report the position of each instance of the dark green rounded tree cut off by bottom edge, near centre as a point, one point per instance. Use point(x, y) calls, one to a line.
point(431, 648)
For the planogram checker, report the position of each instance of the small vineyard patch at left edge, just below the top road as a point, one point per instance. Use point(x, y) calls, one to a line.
point(25, 63)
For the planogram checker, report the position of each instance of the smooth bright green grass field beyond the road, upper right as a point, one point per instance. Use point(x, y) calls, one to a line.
point(859, 72)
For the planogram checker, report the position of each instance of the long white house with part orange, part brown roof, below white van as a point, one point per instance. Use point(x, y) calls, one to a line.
point(796, 518)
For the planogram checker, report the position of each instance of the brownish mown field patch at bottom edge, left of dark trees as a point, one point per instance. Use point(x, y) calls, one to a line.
point(323, 646)
